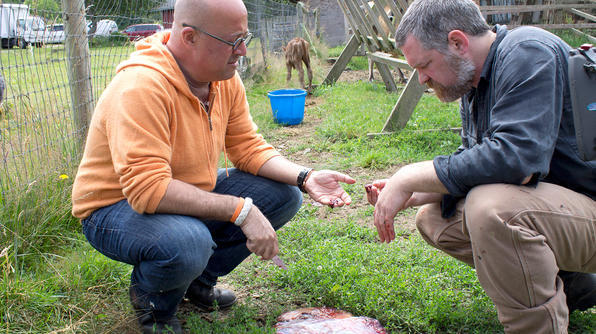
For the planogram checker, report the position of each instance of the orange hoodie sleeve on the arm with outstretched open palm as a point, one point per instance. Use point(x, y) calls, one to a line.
point(246, 148)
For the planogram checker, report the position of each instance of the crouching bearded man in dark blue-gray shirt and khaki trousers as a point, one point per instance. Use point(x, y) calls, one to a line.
point(515, 201)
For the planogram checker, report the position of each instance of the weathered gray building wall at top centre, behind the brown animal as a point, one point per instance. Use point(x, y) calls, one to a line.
point(334, 28)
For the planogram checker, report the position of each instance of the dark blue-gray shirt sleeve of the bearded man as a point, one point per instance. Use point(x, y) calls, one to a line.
point(523, 124)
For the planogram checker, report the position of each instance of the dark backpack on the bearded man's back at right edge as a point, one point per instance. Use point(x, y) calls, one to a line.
point(582, 85)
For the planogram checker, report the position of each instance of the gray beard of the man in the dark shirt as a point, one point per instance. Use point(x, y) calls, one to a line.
point(465, 70)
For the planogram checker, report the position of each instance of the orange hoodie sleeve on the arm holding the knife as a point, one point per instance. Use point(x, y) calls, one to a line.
point(139, 139)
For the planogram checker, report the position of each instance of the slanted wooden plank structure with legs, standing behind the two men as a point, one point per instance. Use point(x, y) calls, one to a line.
point(374, 29)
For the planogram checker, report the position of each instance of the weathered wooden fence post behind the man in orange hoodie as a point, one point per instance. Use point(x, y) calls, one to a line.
point(79, 69)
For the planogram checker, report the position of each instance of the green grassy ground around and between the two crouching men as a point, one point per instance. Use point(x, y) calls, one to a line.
point(61, 285)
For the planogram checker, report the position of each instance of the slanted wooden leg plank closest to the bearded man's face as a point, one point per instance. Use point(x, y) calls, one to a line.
point(405, 105)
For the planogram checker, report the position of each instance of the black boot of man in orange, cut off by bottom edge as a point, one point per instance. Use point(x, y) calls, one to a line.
point(150, 321)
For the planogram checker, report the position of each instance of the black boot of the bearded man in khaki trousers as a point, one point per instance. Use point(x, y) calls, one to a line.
point(580, 289)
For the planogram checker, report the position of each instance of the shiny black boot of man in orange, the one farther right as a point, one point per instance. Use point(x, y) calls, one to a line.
point(208, 298)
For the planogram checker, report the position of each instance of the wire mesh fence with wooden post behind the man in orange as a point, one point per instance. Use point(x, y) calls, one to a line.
point(55, 63)
